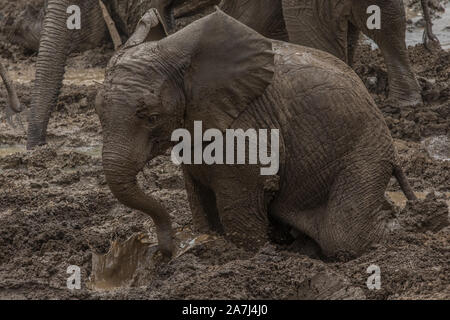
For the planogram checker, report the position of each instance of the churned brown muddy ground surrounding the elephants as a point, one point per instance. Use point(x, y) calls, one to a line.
point(56, 209)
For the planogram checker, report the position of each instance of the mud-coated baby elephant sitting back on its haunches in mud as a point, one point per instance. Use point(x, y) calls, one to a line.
point(336, 155)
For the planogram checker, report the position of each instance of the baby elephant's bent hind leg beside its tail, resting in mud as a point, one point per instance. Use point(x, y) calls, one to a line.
point(355, 217)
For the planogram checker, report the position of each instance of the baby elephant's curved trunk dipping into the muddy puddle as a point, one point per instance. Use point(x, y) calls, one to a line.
point(121, 174)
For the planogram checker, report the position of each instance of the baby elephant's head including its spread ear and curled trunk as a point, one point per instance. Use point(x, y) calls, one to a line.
point(209, 71)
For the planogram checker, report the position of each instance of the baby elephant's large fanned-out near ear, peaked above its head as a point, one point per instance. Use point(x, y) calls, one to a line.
point(228, 66)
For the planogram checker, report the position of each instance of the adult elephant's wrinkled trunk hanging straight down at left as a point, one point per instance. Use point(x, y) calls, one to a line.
point(53, 50)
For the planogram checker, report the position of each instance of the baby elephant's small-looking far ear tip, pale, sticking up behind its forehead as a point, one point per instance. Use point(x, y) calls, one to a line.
point(149, 28)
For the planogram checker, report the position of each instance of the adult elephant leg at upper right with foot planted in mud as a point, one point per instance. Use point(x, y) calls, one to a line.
point(403, 86)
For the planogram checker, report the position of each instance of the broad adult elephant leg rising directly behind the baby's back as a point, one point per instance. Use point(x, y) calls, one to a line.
point(319, 24)
